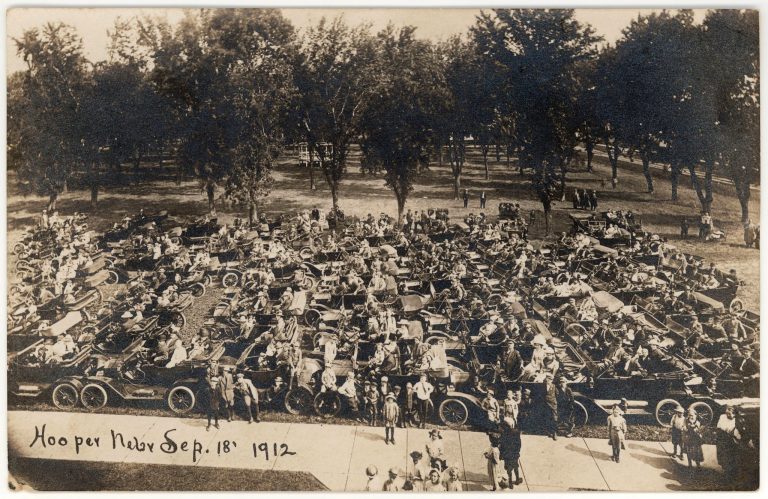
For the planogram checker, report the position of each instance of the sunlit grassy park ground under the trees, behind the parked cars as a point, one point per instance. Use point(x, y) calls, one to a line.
point(362, 194)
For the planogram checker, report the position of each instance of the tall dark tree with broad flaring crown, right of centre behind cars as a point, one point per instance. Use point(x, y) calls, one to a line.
point(538, 53)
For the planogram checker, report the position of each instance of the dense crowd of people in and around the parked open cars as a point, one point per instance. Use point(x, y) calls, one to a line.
point(414, 300)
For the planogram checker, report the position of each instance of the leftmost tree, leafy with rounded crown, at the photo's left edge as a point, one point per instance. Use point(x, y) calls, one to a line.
point(46, 113)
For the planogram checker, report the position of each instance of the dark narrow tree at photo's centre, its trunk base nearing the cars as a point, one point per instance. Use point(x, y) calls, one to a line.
point(407, 96)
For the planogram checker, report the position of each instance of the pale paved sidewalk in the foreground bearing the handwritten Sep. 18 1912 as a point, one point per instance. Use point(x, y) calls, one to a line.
point(338, 455)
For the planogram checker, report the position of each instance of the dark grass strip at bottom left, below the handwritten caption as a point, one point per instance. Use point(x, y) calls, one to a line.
point(58, 475)
